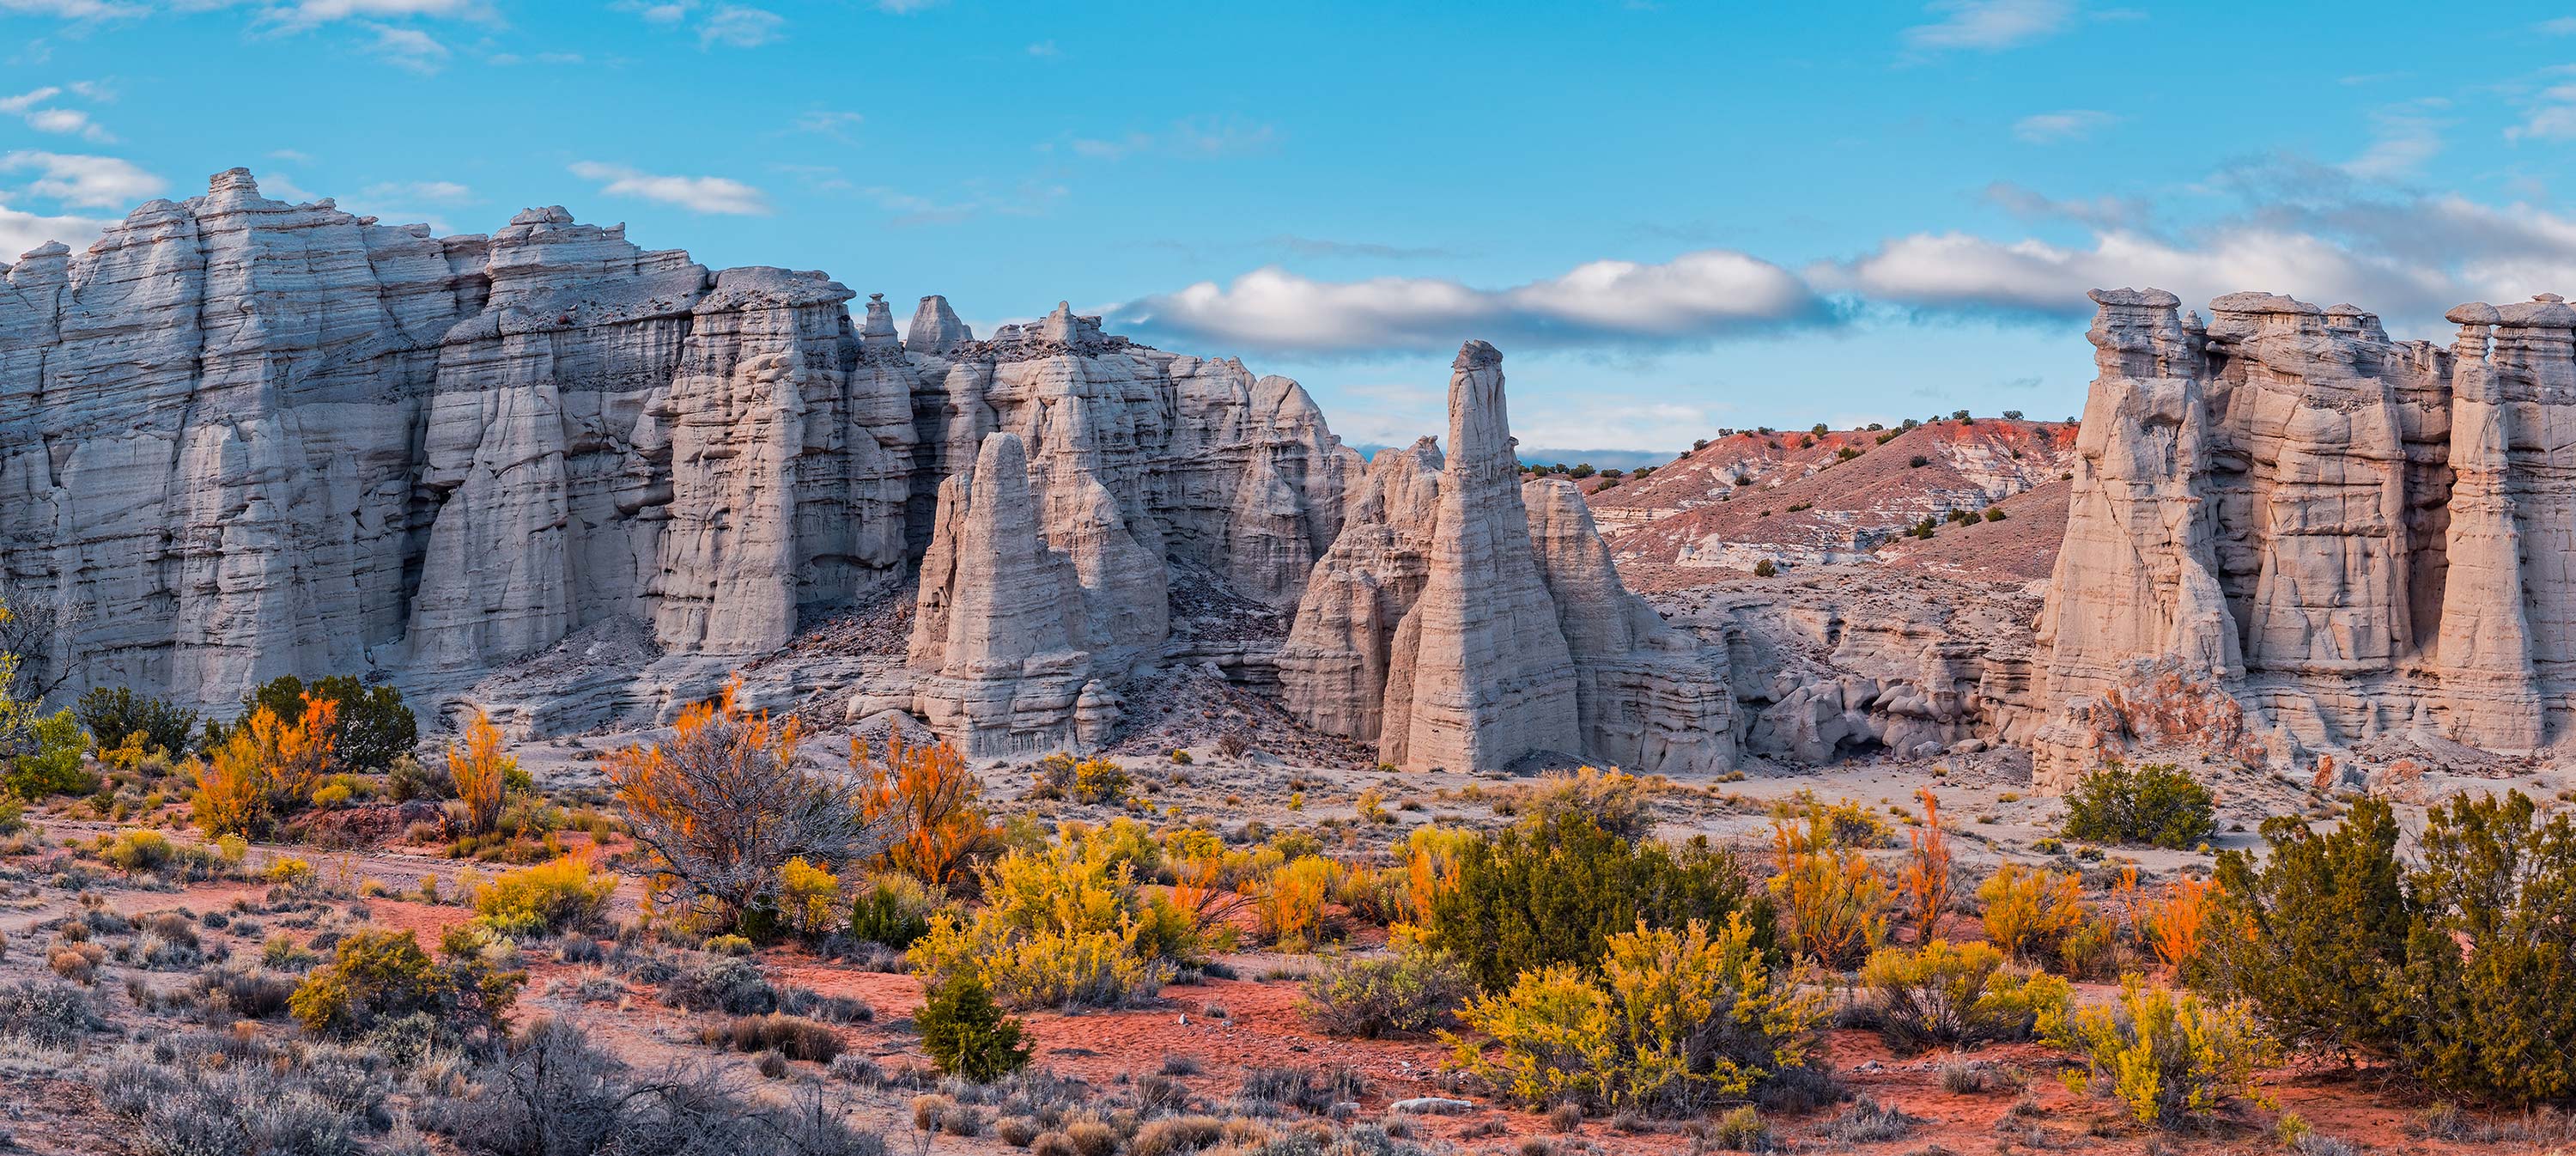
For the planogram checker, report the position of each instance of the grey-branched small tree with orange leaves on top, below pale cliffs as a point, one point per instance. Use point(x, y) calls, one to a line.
point(723, 807)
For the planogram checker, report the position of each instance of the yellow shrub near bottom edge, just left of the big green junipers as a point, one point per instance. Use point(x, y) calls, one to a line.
point(2165, 1054)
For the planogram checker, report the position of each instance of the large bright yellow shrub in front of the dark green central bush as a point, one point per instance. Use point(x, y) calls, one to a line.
point(1678, 1023)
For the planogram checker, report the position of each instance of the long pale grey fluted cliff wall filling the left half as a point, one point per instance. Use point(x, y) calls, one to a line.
point(249, 439)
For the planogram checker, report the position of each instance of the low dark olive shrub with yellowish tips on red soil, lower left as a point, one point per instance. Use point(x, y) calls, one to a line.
point(388, 977)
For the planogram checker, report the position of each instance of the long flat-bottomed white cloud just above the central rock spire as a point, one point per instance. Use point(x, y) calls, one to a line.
point(1696, 295)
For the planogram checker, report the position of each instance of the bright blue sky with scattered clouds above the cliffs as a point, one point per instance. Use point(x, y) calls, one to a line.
point(1671, 215)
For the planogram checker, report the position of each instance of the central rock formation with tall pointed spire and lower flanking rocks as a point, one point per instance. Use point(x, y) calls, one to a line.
point(1459, 632)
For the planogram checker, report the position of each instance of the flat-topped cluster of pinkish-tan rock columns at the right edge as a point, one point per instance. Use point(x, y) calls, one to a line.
point(2340, 532)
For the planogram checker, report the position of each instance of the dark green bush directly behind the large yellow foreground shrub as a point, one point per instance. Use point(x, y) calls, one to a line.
point(1560, 887)
